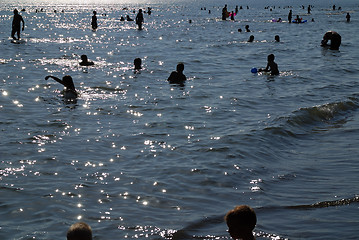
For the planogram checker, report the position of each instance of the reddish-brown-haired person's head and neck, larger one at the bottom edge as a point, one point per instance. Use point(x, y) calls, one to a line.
point(241, 221)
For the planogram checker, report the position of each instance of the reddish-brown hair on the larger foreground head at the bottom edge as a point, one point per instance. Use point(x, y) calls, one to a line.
point(242, 215)
